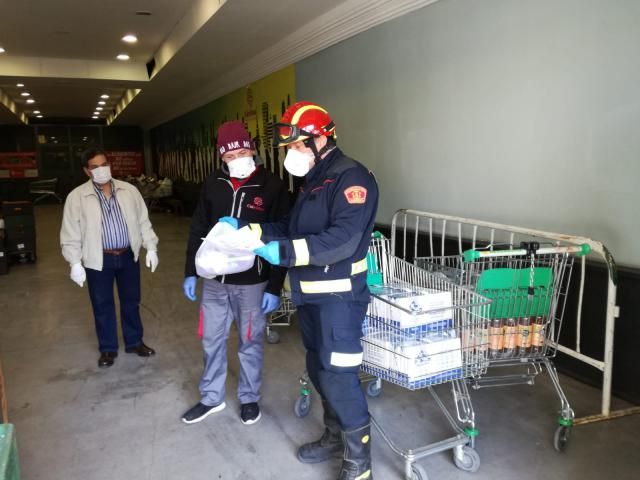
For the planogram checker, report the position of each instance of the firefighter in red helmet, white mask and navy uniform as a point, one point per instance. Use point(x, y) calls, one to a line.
point(324, 241)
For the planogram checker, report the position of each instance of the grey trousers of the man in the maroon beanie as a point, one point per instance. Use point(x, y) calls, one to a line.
point(221, 304)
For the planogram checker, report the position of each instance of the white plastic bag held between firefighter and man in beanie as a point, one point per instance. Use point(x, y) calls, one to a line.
point(226, 250)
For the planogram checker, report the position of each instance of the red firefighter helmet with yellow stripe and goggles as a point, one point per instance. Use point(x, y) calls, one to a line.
point(301, 121)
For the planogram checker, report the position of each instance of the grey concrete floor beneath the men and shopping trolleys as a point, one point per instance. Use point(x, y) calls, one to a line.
point(75, 421)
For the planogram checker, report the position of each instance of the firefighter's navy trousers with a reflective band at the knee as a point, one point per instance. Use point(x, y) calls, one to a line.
point(331, 335)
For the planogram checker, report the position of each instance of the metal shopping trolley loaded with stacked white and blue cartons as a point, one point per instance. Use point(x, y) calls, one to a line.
point(423, 330)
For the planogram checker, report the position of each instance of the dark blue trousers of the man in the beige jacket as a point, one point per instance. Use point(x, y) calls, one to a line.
point(126, 273)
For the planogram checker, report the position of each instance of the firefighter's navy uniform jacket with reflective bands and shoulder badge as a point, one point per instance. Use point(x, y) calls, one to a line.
point(326, 235)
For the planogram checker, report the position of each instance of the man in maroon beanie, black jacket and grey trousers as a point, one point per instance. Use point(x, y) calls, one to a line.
point(240, 189)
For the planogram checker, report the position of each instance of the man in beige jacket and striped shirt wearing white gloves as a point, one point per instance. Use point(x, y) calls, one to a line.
point(105, 222)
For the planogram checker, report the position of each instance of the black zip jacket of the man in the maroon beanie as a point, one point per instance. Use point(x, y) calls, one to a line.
point(263, 197)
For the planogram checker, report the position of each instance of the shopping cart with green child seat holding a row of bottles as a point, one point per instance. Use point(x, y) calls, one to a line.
point(528, 288)
